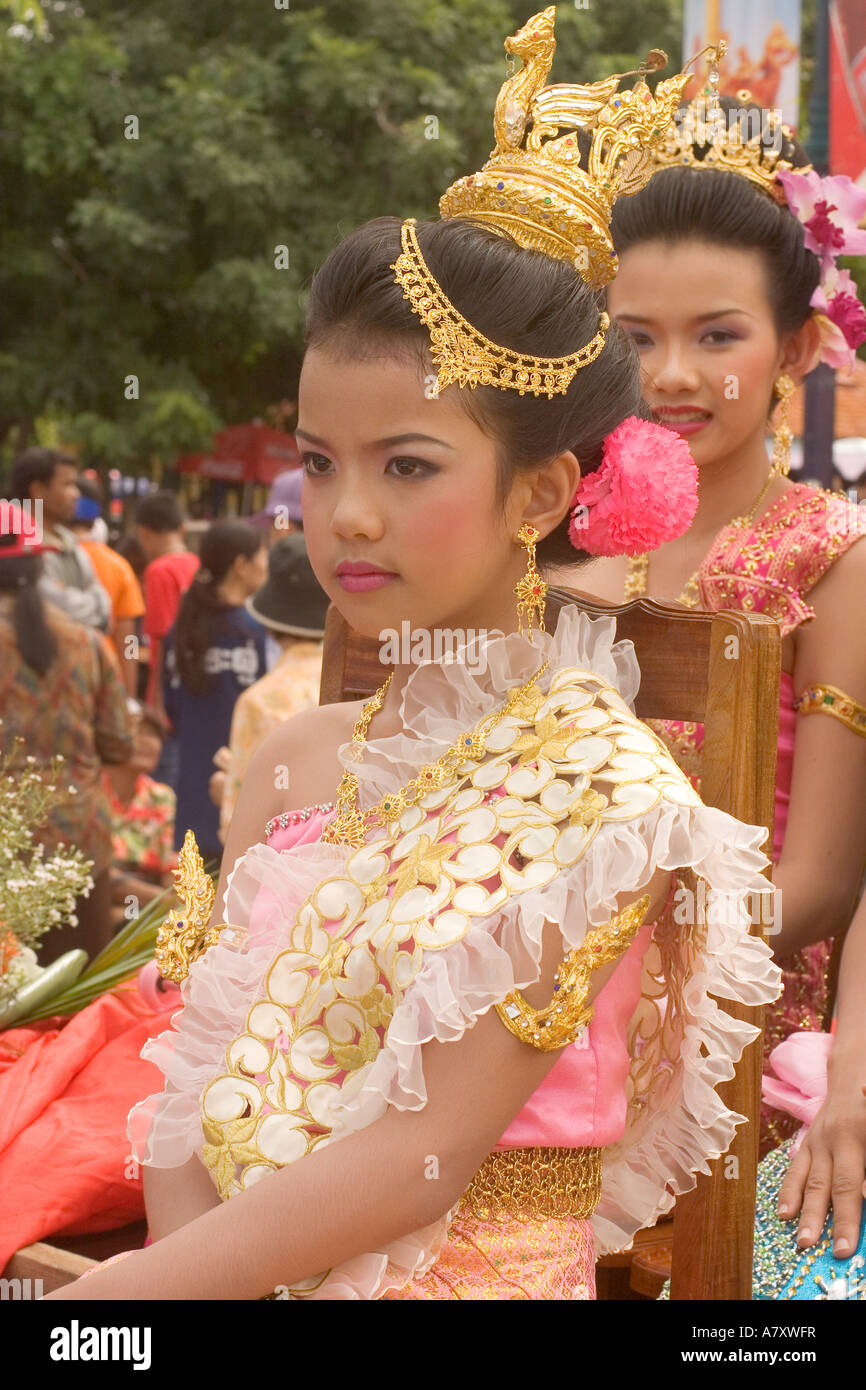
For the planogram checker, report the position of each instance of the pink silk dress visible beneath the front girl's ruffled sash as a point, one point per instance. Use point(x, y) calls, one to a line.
point(580, 1104)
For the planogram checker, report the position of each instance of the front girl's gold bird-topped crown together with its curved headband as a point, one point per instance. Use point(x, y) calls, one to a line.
point(536, 191)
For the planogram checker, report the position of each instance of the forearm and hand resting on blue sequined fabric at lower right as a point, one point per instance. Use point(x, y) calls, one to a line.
point(832, 1161)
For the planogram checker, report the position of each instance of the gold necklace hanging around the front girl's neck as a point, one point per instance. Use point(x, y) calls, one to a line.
point(350, 825)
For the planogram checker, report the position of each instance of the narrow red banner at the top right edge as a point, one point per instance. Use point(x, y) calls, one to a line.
point(849, 90)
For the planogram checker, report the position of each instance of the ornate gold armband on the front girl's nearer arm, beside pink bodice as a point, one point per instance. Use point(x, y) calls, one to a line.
point(568, 1014)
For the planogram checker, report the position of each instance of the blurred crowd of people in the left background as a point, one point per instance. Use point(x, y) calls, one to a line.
point(154, 662)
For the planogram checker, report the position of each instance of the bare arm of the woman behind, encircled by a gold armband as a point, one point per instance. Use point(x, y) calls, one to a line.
point(825, 847)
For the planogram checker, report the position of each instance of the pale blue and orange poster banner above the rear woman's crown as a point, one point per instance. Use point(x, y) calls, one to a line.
point(762, 49)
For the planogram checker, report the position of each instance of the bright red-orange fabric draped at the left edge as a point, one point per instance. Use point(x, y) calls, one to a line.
point(66, 1092)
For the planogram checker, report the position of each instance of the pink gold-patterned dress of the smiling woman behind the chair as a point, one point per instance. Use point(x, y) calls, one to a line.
point(769, 569)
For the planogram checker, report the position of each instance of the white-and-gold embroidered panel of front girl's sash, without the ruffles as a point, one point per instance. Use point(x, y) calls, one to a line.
point(522, 808)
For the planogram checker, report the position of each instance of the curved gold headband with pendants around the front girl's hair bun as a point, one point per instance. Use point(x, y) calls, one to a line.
point(462, 354)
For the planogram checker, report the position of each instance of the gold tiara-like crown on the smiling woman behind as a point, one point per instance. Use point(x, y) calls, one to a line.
point(705, 126)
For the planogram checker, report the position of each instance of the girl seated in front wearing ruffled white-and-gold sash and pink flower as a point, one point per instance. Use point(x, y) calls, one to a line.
point(420, 1061)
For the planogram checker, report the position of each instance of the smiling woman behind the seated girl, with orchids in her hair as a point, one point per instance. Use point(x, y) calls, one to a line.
point(729, 287)
